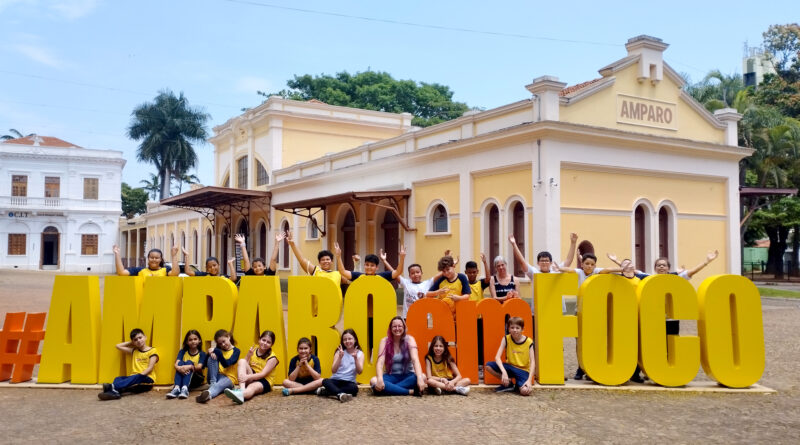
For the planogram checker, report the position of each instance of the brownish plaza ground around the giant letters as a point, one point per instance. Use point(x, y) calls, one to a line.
point(549, 416)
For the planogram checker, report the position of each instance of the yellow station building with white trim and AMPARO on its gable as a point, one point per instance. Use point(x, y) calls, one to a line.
point(629, 161)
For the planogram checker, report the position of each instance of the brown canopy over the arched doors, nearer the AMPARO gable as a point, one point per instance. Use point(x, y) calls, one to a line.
point(394, 197)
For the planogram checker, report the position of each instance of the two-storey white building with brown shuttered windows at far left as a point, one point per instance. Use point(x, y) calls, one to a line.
point(59, 205)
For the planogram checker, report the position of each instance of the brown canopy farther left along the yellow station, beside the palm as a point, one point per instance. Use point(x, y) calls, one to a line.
point(211, 201)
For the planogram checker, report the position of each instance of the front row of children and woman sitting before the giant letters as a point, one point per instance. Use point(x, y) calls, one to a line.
point(240, 379)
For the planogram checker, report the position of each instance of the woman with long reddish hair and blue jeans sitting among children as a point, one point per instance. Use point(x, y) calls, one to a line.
point(398, 371)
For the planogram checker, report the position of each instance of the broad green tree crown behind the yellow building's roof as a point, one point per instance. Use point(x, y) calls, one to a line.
point(429, 103)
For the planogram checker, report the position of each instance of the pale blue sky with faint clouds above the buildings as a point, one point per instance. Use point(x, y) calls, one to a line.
point(75, 69)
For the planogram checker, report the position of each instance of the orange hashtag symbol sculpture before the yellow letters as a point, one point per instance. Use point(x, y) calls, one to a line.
point(19, 345)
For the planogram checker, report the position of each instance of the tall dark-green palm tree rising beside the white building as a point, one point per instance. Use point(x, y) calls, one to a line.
point(167, 128)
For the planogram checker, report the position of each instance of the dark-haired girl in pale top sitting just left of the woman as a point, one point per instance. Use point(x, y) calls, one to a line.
point(348, 361)
